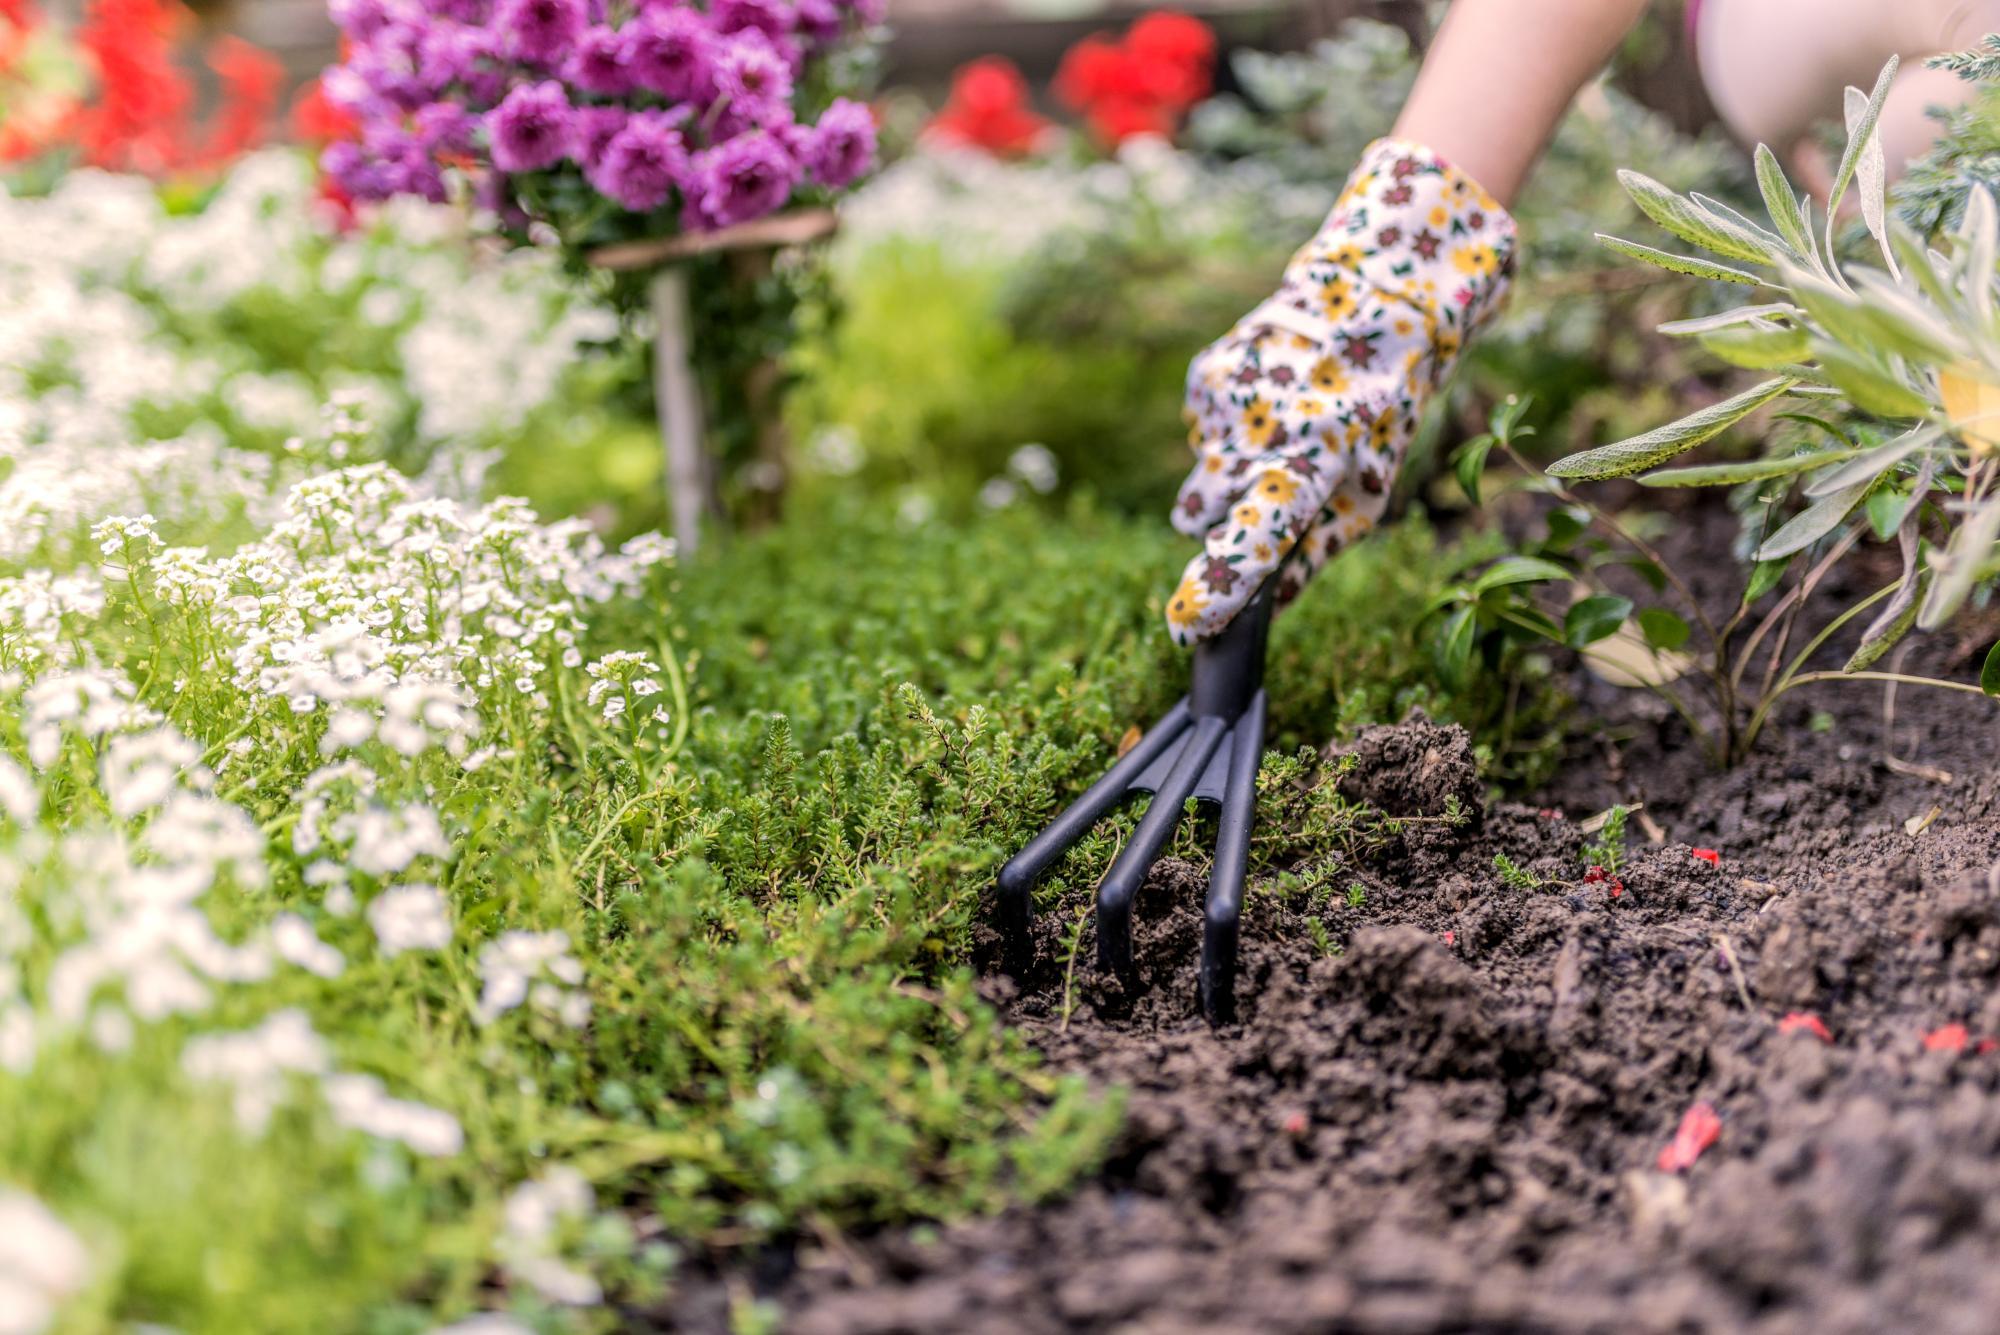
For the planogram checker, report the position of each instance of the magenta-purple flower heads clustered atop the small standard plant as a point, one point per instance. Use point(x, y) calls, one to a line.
point(655, 103)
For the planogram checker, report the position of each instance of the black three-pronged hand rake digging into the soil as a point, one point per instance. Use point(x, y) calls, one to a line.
point(1209, 748)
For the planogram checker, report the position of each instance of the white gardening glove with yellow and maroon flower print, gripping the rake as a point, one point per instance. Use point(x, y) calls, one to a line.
point(1303, 413)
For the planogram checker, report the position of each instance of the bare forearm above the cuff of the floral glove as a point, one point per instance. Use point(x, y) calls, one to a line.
point(1501, 75)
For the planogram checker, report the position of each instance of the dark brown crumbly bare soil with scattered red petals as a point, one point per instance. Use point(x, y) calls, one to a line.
point(1457, 1122)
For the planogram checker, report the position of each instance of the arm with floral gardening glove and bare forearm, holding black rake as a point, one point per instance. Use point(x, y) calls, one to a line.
point(1301, 417)
